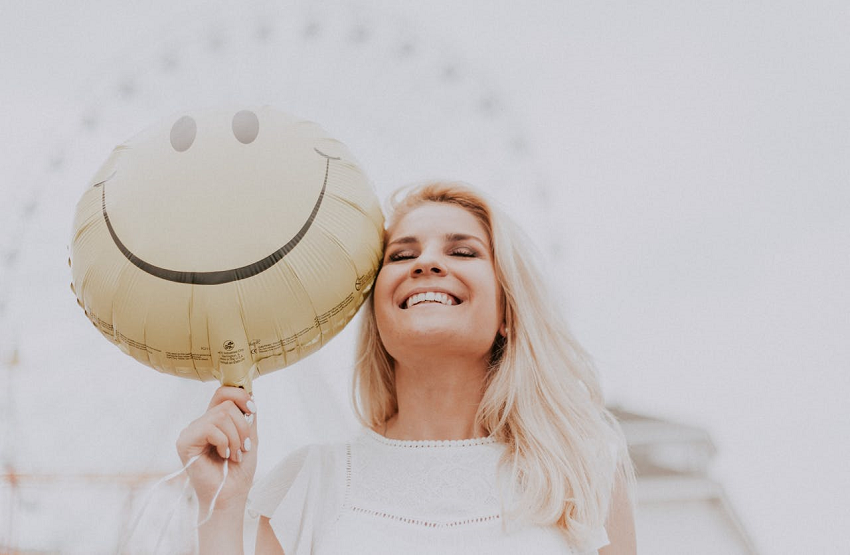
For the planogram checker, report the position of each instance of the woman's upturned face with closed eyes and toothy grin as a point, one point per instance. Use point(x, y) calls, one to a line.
point(437, 288)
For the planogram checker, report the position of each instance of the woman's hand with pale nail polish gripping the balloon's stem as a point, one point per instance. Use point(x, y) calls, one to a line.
point(228, 430)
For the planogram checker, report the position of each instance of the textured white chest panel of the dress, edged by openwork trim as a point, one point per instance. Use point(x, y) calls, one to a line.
point(435, 484)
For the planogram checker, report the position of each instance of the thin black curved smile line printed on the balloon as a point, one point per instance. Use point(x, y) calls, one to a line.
point(220, 276)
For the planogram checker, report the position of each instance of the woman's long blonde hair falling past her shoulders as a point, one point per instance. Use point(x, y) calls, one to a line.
point(542, 397)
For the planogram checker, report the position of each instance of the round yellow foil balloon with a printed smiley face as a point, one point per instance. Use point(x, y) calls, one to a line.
point(224, 245)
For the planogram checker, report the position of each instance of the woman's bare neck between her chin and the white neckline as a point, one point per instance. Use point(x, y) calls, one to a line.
point(437, 399)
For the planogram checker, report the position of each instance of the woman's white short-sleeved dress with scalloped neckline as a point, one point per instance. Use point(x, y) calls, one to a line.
point(382, 496)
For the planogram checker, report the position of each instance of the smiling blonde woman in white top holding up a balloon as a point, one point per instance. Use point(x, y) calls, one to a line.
point(484, 426)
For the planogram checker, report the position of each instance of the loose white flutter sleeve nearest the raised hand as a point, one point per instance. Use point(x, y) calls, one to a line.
point(301, 496)
